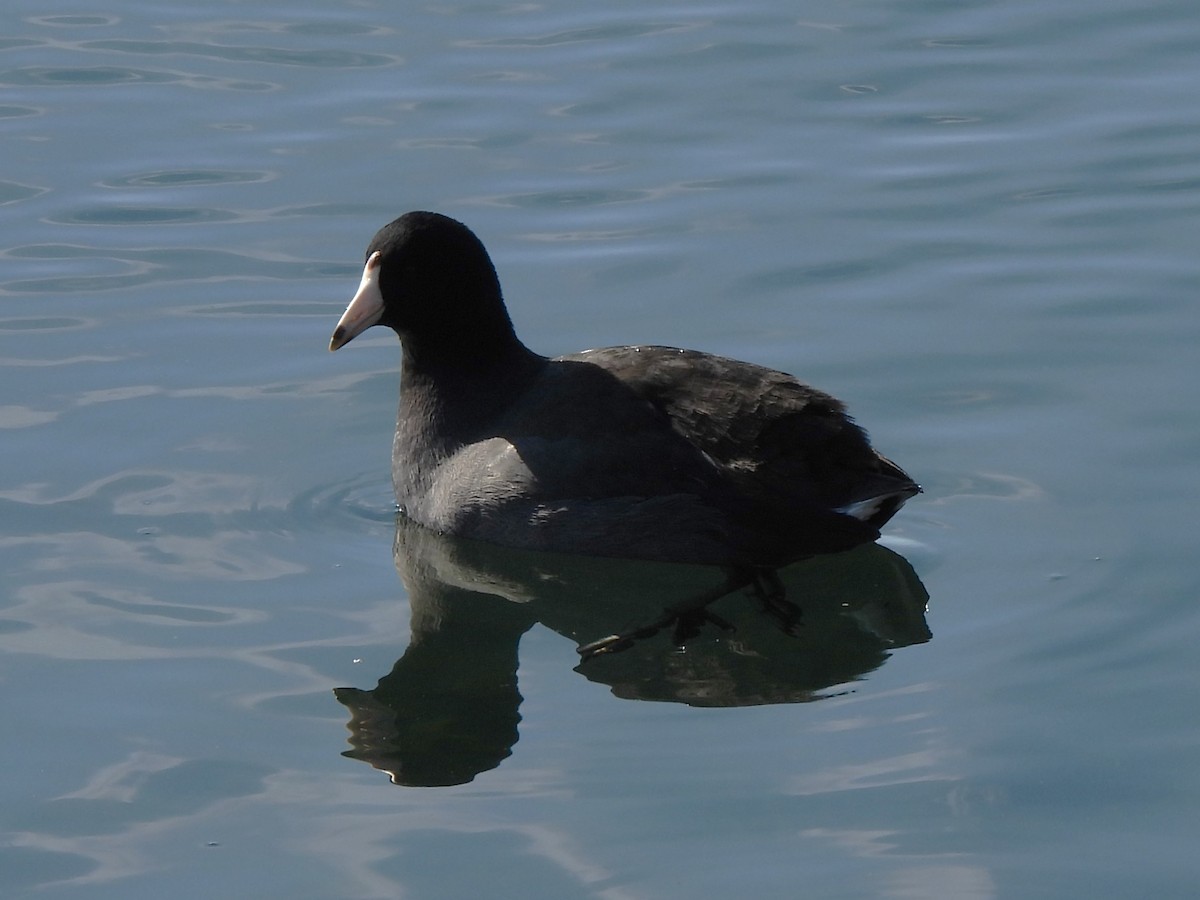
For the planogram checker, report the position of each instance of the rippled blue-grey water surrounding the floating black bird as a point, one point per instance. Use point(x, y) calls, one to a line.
point(974, 223)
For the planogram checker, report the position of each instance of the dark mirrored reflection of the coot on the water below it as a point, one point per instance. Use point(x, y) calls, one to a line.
point(449, 709)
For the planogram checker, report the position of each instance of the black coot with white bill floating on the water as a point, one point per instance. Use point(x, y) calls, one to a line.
point(649, 453)
